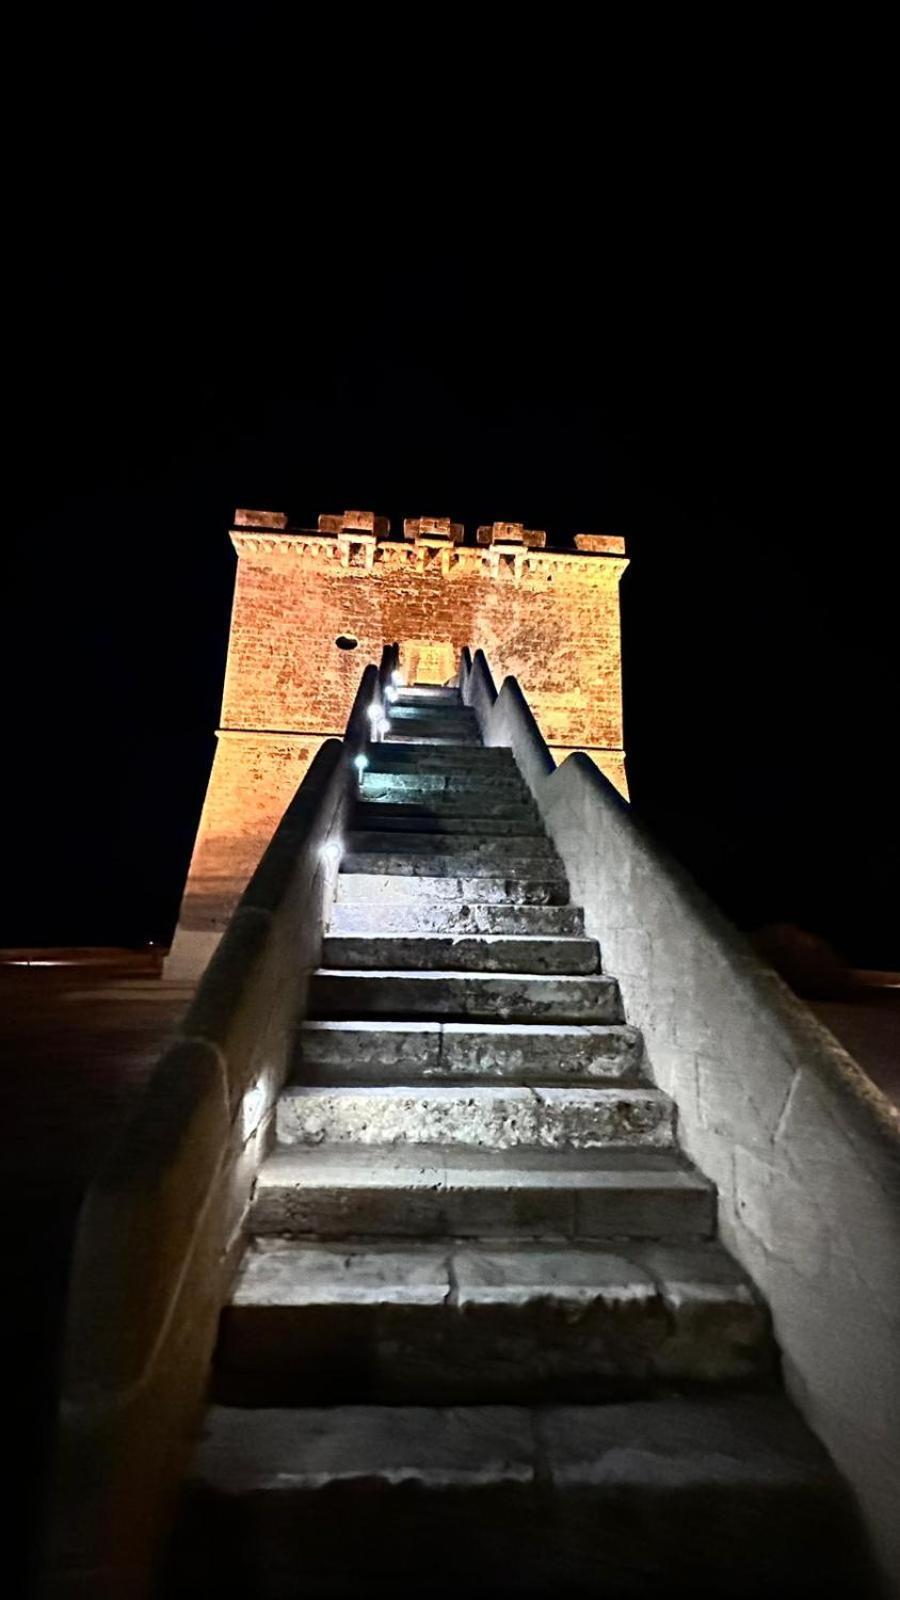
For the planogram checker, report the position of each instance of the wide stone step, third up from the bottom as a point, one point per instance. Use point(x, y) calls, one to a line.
point(427, 1191)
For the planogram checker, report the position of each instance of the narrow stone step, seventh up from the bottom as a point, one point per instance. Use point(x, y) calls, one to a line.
point(478, 953)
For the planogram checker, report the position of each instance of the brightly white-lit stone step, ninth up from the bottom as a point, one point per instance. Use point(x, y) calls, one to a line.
point(360, 882)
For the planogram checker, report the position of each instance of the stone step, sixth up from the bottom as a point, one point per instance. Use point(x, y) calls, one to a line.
point(488, 998)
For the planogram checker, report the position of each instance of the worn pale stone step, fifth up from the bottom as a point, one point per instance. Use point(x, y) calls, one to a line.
point(467, 1052)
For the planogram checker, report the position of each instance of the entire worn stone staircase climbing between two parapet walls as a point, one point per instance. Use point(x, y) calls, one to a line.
point(484, 1340)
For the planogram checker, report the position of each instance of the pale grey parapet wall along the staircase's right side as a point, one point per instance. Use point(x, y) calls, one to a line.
point(803, 1148)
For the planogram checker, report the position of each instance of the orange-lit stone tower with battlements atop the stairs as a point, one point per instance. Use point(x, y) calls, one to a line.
point(311, 609)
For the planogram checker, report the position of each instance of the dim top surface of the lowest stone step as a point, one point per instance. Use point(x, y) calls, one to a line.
point(685, 1444)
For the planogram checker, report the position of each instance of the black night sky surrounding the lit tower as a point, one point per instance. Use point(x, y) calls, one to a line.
point(286, 286)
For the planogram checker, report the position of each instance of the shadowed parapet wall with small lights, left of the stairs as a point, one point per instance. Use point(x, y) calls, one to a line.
point(161, 1226)
